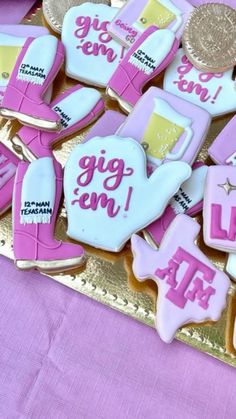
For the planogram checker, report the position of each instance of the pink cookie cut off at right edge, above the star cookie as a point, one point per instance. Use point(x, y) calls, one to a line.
point(223, 148)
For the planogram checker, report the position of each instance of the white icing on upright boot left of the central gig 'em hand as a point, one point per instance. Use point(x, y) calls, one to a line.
point(38, 191)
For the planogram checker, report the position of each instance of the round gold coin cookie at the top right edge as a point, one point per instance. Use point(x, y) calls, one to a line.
point(209, 38)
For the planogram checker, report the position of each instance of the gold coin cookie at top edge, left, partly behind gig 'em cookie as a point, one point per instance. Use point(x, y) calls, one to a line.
point(55, 10)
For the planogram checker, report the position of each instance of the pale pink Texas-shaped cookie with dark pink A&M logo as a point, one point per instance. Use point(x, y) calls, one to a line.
point(190, 288)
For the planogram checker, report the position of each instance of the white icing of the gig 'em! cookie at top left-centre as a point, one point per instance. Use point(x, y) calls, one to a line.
point(92, 69)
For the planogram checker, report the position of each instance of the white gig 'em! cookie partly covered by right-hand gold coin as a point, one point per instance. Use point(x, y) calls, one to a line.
point(214, 92)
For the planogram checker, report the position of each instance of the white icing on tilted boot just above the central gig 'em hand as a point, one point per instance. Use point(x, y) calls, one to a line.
point(77, 105)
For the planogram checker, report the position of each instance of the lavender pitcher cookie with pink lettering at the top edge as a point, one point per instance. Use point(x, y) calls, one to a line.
point(136, 16)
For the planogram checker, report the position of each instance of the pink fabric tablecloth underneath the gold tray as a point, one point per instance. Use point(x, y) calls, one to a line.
point(63, 356)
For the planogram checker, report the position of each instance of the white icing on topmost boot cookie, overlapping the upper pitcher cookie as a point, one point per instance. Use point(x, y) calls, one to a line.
point(153, 51)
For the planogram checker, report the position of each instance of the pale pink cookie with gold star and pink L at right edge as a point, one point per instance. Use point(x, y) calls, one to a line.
point(219, 209)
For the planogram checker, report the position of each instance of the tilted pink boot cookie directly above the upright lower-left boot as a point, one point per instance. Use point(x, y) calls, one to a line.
point(77, 107)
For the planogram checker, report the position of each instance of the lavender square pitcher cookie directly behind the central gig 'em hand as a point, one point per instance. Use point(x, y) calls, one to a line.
point(168, 127)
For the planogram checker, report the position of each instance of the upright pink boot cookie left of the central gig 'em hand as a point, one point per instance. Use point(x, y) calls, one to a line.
point(37, 195)
